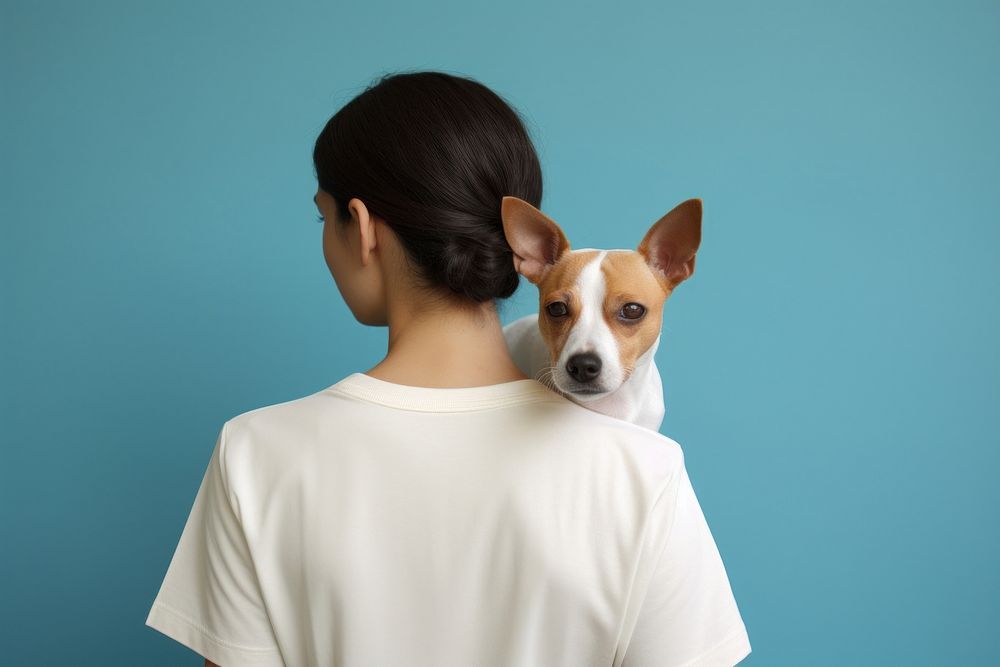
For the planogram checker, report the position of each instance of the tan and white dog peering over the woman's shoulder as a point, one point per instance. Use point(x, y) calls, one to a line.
point(599, 320)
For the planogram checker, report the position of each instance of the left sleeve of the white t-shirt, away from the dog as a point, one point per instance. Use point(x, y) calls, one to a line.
point(210, 599)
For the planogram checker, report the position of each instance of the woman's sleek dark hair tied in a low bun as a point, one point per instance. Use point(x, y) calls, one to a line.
point(433, 154)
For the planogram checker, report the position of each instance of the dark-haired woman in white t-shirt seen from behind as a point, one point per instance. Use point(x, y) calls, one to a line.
point(441, 508)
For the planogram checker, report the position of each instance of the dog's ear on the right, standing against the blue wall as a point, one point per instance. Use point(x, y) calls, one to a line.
point(670, 245)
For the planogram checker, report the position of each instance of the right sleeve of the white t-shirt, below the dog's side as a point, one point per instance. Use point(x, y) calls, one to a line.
point(688, 615)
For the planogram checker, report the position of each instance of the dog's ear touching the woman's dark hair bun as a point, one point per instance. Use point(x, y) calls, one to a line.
point(537, 241)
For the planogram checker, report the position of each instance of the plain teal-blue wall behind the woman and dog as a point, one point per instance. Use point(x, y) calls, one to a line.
point(831, 369)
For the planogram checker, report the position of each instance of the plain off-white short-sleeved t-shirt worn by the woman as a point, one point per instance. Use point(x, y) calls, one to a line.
point(380, 524)
